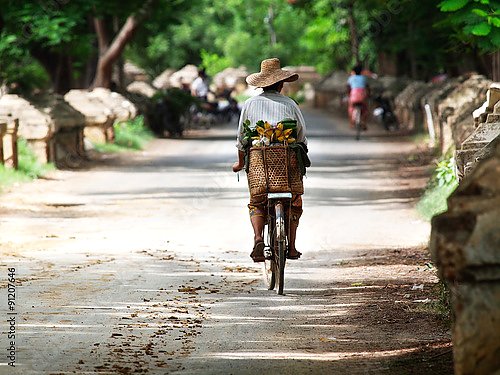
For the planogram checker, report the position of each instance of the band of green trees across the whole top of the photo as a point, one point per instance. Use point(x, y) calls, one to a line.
point(75, 43)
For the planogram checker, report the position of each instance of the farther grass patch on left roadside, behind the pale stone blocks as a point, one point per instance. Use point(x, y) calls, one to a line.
point(129, 135)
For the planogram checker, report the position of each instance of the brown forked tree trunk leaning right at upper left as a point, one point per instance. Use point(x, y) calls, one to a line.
point(110, 53)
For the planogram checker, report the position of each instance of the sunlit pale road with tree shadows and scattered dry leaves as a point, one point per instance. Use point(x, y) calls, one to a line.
point(140, 264)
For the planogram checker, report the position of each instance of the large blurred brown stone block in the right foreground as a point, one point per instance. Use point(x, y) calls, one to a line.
point(465, 243)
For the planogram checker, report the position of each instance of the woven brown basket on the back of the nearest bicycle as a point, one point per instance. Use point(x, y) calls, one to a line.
point(274, 169)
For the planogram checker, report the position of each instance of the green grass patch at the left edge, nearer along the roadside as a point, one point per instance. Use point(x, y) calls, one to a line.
point(29, 167)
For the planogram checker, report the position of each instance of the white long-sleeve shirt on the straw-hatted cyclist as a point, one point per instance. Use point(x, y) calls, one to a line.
point(272, 107)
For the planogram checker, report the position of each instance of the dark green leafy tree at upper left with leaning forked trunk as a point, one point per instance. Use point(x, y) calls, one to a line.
point(77, 42)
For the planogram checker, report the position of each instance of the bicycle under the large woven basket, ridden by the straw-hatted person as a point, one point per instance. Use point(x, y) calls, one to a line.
point(278, 225)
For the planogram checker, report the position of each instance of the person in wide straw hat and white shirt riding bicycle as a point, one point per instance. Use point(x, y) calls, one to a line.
point(270, 106)
